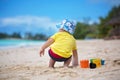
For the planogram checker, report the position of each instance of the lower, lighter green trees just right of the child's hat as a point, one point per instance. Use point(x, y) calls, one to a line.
point(84, 31)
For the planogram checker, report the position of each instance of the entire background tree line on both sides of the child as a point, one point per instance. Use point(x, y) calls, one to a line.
point(83, 29)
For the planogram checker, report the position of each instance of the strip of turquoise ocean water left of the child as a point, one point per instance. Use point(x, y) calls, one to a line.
point(18, 43)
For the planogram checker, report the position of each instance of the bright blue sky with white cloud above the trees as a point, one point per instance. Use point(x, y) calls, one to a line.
point(41, 16)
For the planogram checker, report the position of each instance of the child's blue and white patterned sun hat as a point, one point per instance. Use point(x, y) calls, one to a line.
point(67, 25)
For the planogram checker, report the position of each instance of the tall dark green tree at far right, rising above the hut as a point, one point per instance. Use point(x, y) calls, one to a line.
point(103, 29)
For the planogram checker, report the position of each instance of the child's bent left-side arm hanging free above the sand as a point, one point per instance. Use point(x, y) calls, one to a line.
point(47, 44)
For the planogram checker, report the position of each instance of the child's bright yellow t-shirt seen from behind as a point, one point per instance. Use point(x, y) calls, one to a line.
point(64, 44)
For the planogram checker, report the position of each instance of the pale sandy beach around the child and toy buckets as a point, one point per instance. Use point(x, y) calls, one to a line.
point(24, 63)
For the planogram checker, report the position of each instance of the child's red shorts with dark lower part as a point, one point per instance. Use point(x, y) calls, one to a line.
point(56, 57)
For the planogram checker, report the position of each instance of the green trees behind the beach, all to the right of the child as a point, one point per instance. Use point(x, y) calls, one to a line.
point(96, 30)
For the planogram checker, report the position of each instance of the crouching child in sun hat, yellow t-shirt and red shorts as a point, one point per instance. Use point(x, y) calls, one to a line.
point(62, 45)
